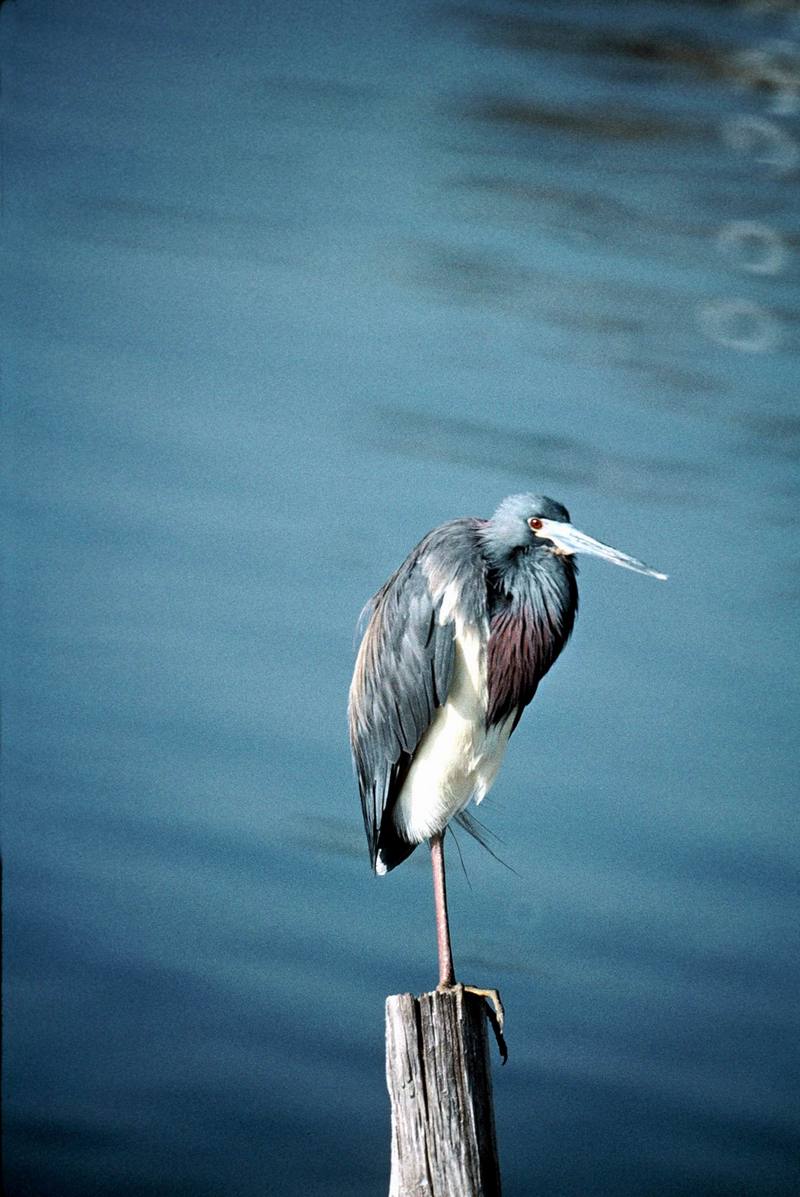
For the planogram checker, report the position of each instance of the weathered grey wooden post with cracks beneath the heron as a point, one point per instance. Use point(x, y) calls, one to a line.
point(439, 1079)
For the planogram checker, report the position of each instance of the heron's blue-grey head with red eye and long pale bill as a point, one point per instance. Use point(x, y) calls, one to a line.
point(541, 526)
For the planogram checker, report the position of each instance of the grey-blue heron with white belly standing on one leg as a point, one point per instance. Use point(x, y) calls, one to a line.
point(454, 647)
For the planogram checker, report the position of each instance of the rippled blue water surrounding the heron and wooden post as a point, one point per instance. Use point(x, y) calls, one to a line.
point(286, 287)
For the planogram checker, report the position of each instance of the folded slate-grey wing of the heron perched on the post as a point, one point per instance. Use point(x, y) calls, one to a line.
point(405, 667)
